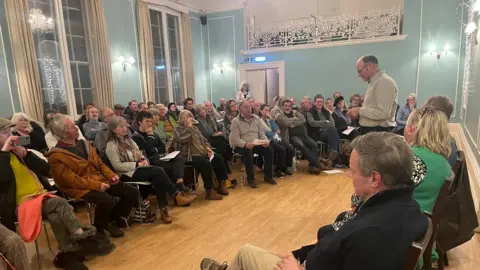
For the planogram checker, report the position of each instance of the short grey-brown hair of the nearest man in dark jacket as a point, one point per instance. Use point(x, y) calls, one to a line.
point(386, 153)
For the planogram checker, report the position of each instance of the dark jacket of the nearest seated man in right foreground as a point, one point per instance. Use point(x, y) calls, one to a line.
point(378, 237)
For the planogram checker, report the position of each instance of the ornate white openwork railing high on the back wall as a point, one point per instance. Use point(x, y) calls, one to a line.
point(362, 25)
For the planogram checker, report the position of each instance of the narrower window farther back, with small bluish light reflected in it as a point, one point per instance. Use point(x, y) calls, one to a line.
point(166, 42)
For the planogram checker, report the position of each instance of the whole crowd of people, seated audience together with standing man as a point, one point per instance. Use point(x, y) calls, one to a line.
point(94, 159)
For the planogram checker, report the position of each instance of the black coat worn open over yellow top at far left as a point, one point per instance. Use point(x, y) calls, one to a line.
point(8, 203)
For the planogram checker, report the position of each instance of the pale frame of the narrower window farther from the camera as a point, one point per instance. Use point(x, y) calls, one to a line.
point(165, 11)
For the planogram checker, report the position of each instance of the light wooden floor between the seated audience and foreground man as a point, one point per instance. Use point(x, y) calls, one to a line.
point(277, 218)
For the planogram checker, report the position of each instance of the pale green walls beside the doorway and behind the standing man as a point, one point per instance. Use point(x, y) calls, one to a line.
point(330, 69)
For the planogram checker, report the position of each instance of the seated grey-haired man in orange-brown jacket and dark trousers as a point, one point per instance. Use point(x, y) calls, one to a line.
point(80, 173)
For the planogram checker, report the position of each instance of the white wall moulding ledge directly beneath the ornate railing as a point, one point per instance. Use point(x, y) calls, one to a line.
point(325, 44)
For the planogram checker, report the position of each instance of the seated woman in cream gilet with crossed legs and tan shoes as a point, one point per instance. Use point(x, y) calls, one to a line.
point(129, 163)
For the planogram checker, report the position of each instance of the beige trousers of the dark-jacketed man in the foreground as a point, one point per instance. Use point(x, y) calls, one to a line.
point(253, 258)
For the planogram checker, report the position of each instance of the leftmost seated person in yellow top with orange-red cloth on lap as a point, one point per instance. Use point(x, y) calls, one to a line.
point(24, 188)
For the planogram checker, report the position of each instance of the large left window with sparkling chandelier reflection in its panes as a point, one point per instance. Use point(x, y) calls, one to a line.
point(61, 40)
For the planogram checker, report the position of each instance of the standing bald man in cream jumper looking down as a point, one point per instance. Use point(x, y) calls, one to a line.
point(380, 100)
